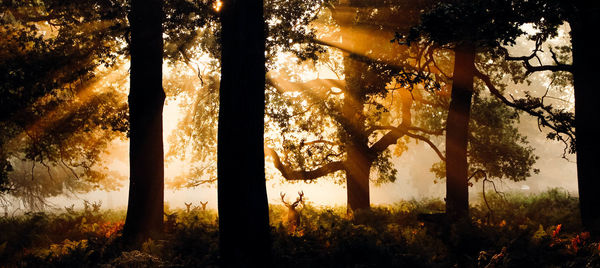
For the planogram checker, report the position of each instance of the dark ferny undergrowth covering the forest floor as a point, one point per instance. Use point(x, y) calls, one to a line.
point(519, 231)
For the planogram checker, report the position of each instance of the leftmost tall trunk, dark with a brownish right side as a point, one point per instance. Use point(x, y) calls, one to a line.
point(146, 100)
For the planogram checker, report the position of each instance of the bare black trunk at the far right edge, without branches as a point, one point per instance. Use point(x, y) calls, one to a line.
point(585, 58)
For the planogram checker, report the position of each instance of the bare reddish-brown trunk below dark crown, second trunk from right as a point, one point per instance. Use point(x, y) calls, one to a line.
point(457, 129)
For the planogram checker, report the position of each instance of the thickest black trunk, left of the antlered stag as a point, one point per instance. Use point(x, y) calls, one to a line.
point(243, 209)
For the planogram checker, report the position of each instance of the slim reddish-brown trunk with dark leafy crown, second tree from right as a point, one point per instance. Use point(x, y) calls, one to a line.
point(468, 28)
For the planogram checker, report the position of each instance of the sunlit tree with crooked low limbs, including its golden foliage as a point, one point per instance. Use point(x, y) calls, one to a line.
point(372, 108)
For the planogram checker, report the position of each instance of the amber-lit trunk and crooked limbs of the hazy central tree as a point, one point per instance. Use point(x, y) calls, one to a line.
point(352, 153)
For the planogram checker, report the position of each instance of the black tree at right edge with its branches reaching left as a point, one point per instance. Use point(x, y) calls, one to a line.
point(578, 135)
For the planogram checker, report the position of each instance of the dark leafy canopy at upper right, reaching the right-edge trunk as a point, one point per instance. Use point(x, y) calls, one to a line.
point(491, 27)
